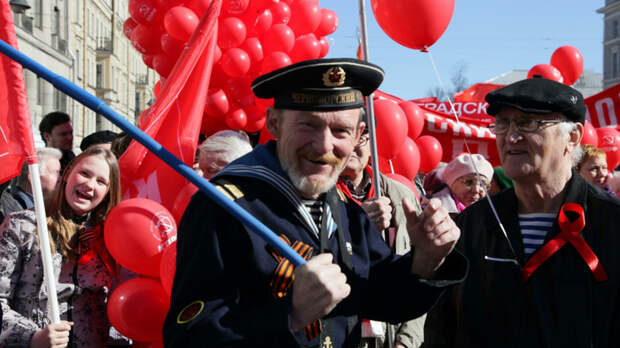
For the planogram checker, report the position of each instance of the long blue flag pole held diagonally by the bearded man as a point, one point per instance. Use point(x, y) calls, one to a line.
point(98, 106)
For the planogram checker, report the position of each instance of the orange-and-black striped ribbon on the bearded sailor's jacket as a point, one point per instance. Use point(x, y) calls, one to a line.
point(283, 277)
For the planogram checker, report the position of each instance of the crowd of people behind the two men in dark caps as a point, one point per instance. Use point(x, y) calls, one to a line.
point(80, 190)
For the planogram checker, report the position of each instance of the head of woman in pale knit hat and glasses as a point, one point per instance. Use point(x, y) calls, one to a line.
point(463, 187)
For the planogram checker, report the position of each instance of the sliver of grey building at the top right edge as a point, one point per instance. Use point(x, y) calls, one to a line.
point(611, 42)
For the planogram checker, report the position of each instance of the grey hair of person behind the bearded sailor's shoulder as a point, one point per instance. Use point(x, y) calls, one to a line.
point(230, 144)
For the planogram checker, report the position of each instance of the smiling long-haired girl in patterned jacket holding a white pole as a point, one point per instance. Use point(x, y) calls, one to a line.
point(90, 188)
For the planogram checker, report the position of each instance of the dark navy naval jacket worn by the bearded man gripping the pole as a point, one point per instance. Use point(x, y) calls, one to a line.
point(222, 295)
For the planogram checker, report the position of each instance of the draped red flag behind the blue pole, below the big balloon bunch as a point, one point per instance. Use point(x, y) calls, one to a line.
point(174, 120)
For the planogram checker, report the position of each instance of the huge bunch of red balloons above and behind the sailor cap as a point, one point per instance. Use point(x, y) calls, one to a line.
point(254, 37)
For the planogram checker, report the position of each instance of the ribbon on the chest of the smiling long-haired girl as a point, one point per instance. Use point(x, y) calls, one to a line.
point(91, 244)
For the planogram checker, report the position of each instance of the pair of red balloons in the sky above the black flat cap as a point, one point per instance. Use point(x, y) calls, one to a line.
point(565, 67)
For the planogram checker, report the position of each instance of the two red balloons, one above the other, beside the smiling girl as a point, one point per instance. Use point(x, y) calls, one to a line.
point(141, 236)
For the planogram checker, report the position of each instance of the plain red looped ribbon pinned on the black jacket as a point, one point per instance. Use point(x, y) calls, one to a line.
point(569, 233)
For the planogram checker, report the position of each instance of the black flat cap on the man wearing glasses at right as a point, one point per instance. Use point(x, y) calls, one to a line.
point(538, 96)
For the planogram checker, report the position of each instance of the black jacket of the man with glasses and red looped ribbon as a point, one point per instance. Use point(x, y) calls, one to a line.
point(561, 305)
